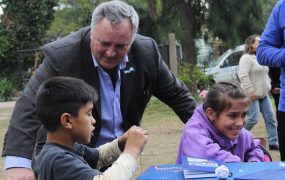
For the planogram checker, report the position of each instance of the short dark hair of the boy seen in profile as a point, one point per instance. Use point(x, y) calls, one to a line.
point(60, 95)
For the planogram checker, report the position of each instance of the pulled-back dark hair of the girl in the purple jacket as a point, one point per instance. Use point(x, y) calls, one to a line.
point(219, 96)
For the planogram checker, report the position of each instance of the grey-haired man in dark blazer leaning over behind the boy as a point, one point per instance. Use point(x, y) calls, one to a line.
point(125, 68)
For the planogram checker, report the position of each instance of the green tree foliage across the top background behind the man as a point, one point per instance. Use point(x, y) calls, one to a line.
point(29, 24)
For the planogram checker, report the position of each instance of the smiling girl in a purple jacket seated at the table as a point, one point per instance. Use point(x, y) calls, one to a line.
point(216, 131)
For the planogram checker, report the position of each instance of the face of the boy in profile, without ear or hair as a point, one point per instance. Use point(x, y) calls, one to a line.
point(82, 125)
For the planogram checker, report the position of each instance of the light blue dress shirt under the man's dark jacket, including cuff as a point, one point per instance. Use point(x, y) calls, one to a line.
point(111, 117)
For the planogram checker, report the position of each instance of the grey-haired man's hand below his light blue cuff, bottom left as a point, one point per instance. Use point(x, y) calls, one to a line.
point(19, 174)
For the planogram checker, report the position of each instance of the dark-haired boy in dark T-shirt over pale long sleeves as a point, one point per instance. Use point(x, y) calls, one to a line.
point(64, 106)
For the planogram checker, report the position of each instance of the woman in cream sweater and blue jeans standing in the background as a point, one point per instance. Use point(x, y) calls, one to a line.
point(256, 82)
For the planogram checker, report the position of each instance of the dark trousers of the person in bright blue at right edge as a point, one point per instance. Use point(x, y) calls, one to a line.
point(281, 133)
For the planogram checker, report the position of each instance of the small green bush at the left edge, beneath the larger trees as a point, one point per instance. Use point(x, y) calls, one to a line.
point(6, 90)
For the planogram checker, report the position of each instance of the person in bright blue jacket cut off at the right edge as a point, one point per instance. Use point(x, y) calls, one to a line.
point(271, 52)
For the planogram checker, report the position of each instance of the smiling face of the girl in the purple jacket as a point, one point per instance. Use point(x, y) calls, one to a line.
point(230, 121)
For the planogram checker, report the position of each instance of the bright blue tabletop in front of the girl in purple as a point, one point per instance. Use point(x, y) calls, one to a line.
point(256, 170)
